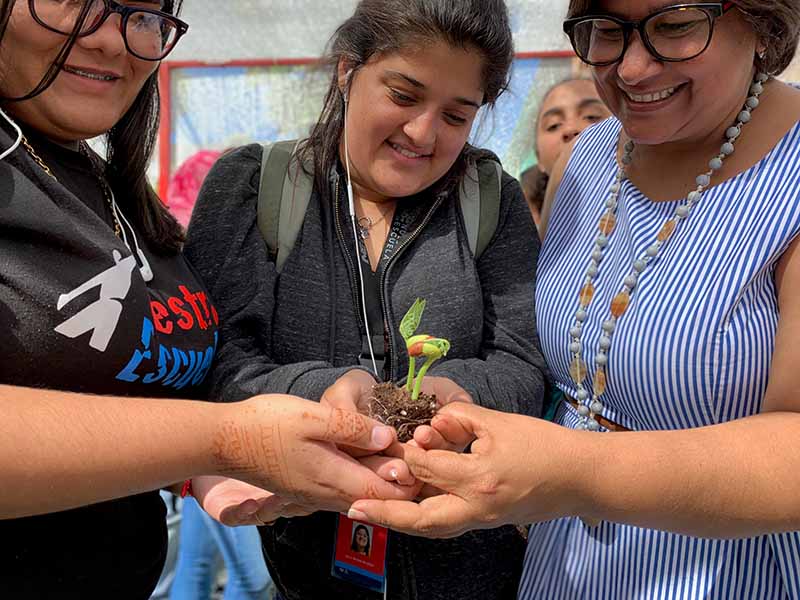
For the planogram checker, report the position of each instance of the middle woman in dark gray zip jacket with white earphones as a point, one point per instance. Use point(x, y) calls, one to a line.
point(383, 226)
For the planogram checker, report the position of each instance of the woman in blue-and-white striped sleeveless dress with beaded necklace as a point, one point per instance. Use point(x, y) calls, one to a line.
point(667, 309)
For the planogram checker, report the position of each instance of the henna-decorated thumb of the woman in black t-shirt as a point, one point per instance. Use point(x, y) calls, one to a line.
point(340, 426)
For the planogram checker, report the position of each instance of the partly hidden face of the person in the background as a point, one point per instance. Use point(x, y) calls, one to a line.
point(568, 109)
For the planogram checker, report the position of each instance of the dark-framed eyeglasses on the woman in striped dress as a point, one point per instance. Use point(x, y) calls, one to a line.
point(673, 34)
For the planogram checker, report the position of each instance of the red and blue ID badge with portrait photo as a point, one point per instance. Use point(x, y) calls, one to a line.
point(360, 554)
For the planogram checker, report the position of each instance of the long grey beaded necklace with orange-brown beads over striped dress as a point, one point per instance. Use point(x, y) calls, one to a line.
point(590, 405)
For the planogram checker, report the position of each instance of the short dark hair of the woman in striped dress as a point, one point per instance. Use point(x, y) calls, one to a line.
point(775, 22)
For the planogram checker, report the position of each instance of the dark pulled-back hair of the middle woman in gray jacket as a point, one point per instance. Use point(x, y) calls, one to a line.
point(385, 26)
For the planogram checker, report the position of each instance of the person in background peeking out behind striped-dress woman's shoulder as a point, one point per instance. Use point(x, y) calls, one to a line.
point(567, 108)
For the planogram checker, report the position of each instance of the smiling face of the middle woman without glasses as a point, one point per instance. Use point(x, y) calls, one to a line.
point(409, 116)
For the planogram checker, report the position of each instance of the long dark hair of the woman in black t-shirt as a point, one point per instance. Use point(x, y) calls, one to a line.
point(129, 144)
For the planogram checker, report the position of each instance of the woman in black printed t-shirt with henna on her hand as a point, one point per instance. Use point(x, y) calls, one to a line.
point(100, 316)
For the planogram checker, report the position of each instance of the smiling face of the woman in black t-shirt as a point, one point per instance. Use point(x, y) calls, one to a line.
point(98, 84)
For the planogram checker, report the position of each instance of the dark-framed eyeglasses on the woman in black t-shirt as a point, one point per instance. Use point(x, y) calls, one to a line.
point(148, 34)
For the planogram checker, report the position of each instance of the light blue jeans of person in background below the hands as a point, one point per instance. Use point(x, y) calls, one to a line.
point(202, 539)
